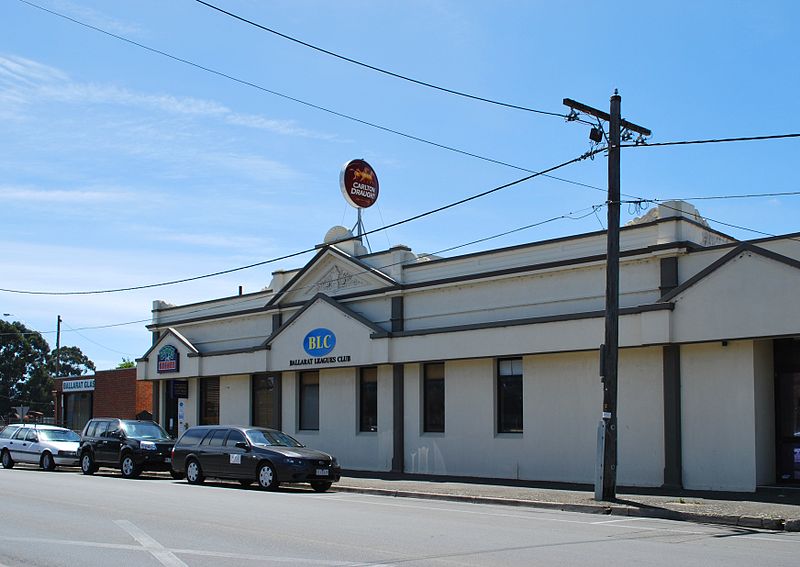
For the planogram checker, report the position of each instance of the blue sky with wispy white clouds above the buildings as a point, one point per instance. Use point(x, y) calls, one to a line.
point(120, 167)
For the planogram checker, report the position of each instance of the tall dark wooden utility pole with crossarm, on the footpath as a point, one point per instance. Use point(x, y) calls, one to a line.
point(606, 484)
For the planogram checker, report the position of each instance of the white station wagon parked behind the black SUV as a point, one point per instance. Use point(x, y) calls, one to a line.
point(45, 445)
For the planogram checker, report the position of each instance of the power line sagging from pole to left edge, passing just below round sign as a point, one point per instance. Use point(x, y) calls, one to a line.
point(307, 250)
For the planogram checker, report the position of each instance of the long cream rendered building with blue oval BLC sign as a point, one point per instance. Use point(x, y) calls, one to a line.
point(487, 364)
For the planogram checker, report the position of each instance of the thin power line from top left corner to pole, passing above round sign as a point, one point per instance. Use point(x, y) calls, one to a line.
point(300, 101)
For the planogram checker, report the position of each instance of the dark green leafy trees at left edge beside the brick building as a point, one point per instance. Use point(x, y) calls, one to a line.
point(27, 367)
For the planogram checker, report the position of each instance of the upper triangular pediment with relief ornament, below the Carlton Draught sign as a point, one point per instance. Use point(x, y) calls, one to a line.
point(332, 272)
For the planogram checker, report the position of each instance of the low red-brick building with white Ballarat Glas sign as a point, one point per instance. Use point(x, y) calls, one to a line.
point(107, 393)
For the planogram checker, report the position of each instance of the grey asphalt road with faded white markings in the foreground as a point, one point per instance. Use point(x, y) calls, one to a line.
point(65, 518)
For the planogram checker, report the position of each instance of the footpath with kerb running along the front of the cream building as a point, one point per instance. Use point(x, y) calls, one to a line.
point(771, 508)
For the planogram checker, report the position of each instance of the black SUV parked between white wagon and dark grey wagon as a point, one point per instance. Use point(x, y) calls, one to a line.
point(130, 444)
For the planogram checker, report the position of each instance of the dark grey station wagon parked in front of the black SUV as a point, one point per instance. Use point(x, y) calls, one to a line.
point(251, 454)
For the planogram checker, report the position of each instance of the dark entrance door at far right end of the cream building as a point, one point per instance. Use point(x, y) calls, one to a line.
point(788, 434)
